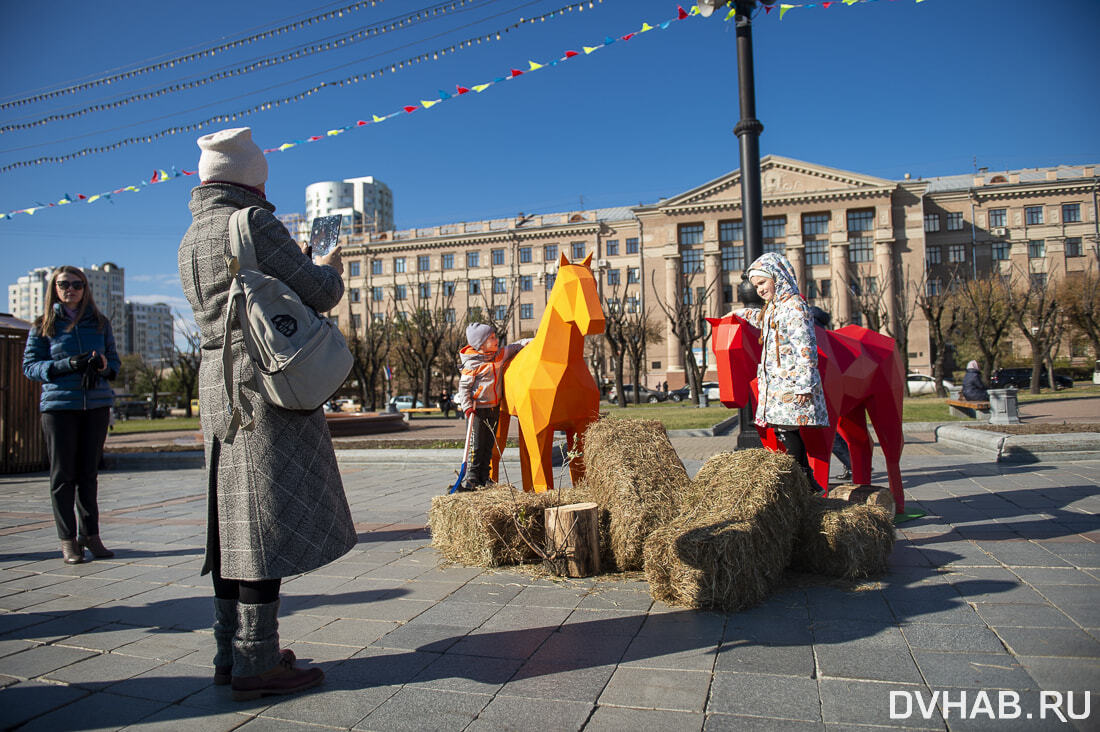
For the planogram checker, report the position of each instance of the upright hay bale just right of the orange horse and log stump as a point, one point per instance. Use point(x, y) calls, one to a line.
point(634, 474)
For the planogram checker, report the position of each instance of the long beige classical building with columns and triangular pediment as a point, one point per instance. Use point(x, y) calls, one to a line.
point(846, 234)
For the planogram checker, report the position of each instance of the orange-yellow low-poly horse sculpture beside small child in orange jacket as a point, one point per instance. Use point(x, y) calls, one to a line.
point(548, 386)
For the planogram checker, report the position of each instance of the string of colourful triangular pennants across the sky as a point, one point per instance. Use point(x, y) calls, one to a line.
point(164, 176)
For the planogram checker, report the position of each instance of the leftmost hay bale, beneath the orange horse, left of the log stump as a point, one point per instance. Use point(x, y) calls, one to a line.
point(483, 529)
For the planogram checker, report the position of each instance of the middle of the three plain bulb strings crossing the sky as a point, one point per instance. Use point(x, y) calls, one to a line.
point(290, 56)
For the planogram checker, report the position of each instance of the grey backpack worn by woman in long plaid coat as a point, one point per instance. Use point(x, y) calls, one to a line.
point(300, 358)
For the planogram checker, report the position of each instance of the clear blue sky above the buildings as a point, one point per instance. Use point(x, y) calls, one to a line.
point(883, 89)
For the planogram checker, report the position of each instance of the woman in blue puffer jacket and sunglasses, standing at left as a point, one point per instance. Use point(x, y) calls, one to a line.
point(72, 351)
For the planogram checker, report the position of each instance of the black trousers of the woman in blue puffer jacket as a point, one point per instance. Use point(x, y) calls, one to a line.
point(75, 442)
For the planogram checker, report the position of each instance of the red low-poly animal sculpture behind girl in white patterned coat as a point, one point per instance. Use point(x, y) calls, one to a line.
point(863, 376)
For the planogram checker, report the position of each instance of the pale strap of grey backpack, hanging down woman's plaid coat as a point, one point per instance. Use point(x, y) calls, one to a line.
point(243, 255)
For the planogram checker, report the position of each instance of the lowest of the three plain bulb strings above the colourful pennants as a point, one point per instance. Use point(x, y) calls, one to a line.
point(263, 106)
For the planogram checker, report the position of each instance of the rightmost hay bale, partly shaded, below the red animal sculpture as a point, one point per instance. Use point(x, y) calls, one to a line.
point(844, 540)
